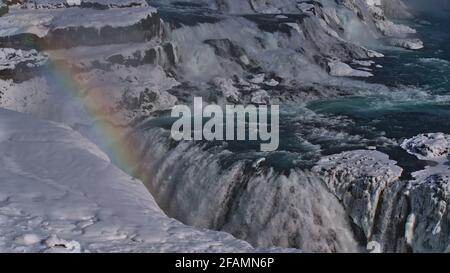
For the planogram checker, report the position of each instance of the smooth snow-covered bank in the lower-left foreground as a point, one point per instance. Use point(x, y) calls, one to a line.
point(59, 192)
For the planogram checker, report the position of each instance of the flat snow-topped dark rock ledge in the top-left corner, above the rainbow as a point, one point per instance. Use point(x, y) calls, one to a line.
point(67, 27)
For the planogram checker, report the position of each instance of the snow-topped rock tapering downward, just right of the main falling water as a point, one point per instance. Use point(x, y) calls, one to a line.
point(358, 178)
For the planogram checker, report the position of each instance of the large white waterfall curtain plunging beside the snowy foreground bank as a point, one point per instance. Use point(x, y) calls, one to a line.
point(209, 187)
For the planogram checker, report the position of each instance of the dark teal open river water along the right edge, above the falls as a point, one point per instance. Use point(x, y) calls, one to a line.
point(419, 101)
